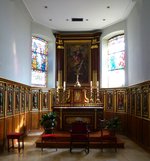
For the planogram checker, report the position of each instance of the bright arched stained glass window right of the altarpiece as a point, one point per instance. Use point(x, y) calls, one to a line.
point(114, 59)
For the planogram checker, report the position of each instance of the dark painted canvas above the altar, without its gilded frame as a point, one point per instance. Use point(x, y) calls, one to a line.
point(77, 63)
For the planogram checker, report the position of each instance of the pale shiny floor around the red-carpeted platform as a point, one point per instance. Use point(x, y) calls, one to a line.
point(131, 152)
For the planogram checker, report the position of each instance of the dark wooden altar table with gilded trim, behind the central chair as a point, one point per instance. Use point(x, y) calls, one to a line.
point(67, 115)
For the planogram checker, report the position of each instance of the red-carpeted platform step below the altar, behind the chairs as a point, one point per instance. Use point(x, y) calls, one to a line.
point(63, 141)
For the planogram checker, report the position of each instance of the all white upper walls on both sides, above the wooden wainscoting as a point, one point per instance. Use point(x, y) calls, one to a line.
point(15, 42)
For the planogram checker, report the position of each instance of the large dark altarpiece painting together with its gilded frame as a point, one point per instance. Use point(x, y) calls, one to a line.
point(77, 61)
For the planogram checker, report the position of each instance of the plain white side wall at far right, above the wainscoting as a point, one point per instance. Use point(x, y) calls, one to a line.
point(138, 36)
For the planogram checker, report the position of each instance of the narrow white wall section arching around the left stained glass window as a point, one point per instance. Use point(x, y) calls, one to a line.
point(46, 33)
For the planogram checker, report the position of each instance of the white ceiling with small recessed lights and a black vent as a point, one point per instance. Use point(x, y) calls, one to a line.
point(96, 14)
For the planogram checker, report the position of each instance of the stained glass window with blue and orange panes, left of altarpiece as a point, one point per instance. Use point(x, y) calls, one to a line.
point(39, 61)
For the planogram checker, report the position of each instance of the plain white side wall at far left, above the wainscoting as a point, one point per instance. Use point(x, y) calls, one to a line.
point(15, 41)
